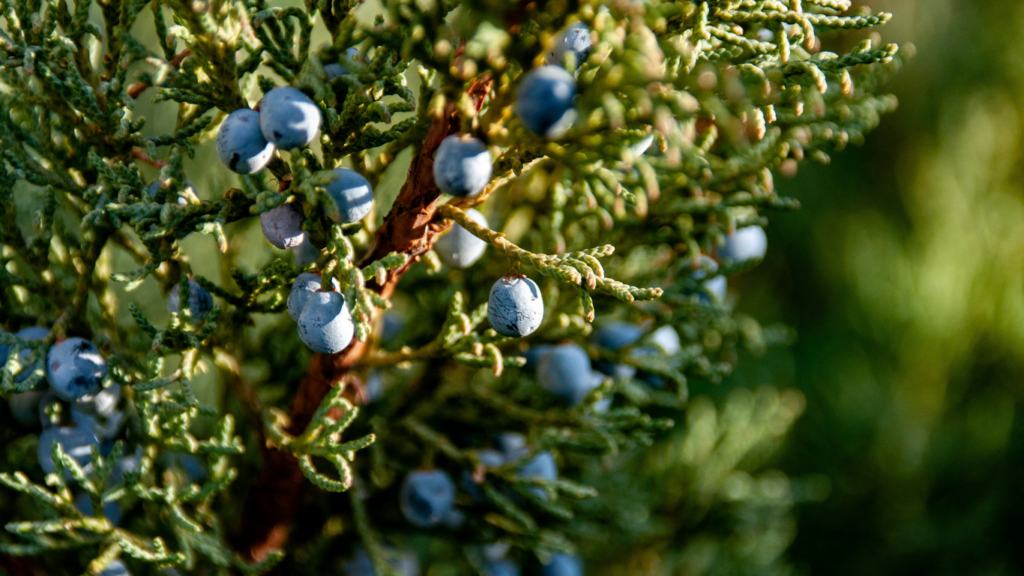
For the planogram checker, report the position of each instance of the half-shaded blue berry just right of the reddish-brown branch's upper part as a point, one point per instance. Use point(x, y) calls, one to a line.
point(462, 167)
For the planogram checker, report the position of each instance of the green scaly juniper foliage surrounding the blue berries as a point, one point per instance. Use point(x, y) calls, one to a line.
point(731, 92)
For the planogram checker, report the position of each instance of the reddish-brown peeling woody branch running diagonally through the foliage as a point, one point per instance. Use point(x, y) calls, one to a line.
point(409, 229)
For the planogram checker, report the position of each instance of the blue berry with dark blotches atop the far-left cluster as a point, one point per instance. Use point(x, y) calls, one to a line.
point(76, 369)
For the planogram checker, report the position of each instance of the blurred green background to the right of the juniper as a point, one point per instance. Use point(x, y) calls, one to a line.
point(903, 274)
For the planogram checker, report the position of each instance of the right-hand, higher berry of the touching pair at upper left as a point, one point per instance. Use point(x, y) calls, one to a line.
point(289, 119)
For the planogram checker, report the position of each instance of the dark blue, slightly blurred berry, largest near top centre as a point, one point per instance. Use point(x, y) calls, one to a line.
point(544, 101)
